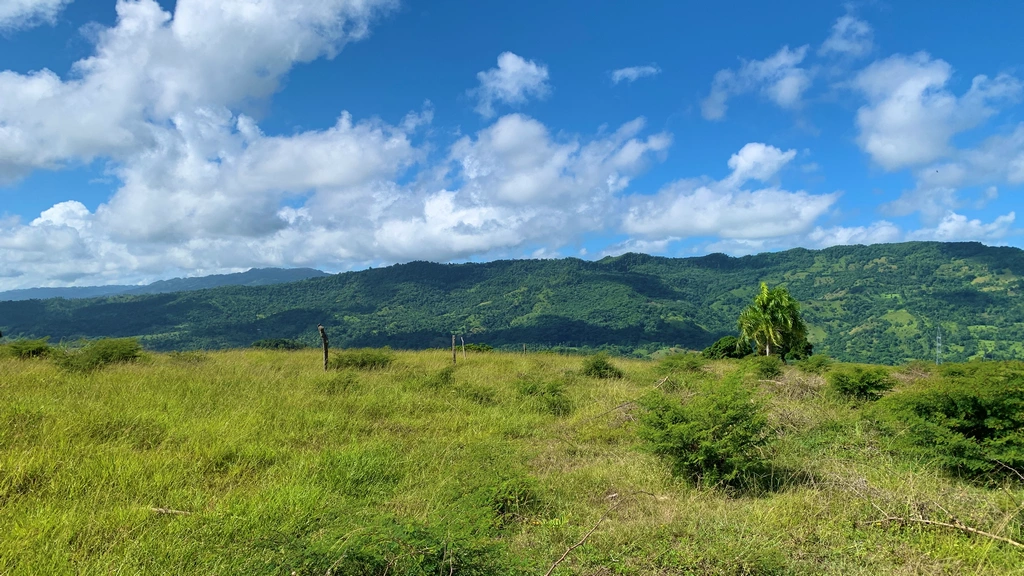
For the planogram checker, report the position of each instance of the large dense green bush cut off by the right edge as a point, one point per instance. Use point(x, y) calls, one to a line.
point(971, 420)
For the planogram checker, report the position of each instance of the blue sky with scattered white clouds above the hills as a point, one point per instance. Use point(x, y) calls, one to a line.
point(144, 140)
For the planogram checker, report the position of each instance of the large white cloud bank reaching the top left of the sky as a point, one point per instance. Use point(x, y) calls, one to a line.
point(153, 66)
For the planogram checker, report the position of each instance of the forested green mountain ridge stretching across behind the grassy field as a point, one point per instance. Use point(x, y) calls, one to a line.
point(879, 304)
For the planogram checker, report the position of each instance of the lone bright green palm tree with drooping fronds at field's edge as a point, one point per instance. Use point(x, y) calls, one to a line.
point(773, 321)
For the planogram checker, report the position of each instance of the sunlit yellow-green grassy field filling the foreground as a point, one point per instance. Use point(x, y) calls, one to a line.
point(260, 463)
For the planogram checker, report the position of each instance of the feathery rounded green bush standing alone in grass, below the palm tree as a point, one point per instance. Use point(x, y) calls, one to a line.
point(720, 436)
